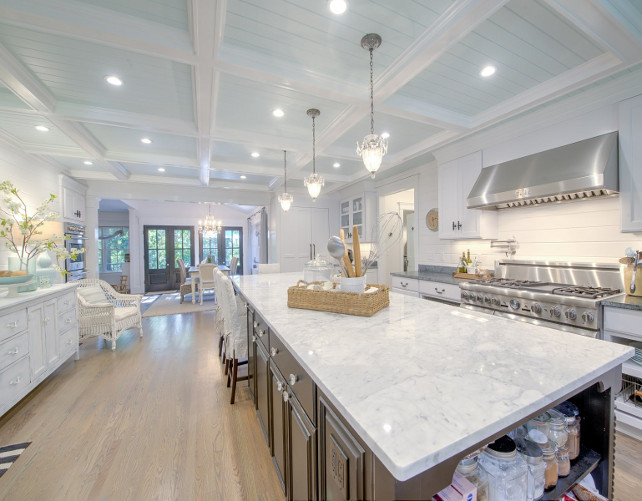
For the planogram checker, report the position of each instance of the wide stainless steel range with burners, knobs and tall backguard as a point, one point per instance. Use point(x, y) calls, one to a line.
point(564, 296)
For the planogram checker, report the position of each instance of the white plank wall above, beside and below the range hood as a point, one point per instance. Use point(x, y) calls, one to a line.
point(585, 231)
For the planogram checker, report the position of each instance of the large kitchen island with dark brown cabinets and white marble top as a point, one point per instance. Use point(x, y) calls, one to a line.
point(419, 385)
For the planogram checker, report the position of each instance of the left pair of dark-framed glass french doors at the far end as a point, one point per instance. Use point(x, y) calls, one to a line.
point(163, 246)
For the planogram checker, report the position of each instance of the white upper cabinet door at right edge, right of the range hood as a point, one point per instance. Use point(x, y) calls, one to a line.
point(630, 162)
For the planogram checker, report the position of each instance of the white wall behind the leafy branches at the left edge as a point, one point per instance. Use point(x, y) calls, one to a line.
point(35, 181)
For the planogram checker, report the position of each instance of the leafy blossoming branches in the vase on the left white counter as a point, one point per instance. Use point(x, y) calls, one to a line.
point(23, 232)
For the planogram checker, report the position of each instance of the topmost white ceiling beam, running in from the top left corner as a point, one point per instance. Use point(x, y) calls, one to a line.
point(74, 19)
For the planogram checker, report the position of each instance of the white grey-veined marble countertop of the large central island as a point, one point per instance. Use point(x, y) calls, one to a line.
point(422, 381)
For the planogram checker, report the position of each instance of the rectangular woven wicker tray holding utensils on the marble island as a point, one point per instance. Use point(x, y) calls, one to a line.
point(350, 303)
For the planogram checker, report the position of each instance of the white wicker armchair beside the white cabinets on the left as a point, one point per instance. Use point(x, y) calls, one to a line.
point(106, 317)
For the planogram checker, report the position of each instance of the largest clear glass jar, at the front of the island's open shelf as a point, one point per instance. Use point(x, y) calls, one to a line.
point(507, 471)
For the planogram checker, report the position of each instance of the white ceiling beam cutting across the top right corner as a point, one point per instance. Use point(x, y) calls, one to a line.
point(597, 21)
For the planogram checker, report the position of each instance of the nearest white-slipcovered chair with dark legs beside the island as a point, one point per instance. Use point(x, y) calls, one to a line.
point(235, 321)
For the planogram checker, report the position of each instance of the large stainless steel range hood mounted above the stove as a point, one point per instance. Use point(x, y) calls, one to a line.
point(577, 171)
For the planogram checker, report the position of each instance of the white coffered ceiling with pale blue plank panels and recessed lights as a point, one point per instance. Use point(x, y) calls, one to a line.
point(202, 77)
